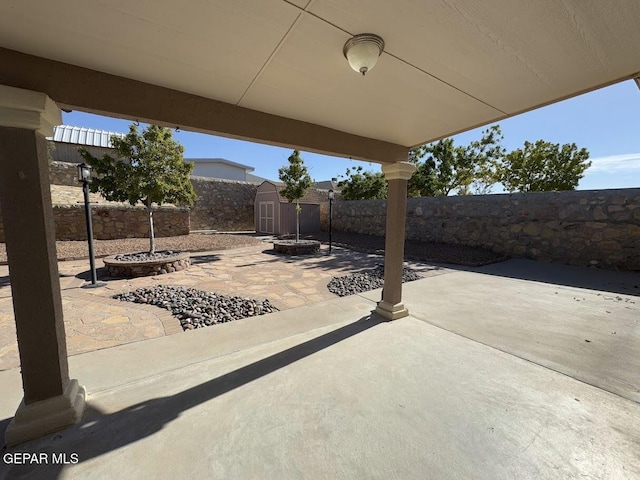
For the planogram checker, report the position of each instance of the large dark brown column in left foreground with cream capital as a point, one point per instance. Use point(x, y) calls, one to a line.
point(51, 400)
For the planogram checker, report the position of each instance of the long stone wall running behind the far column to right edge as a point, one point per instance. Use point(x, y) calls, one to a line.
point(596, 228)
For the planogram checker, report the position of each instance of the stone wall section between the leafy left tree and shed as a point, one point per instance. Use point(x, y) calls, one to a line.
point(223, 205)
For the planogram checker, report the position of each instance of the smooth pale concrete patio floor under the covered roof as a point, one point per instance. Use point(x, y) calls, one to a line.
point(515, 370)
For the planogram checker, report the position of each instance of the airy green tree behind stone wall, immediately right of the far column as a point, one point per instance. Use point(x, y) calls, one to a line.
point(448, 168)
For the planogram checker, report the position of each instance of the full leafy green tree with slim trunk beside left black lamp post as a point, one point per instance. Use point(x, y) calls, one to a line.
point(148, 168)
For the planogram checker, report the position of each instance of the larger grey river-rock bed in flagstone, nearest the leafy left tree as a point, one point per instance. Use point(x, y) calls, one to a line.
point(196, 308)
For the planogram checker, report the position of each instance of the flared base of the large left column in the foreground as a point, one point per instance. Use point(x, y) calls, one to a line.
point(47, 416)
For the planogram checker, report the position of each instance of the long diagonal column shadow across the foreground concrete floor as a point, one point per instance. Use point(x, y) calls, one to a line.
point(99, 432)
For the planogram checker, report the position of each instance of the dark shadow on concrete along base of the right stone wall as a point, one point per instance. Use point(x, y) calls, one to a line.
point(626, 283)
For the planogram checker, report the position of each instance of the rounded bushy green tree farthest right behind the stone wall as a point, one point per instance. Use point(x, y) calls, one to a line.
point(543, 166)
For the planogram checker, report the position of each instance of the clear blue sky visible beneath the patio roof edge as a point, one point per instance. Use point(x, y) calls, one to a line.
point(605, 122)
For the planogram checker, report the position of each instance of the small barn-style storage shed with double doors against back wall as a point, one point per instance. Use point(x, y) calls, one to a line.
point(275, 215)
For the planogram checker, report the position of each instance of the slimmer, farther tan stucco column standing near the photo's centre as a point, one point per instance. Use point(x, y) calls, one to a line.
point(397, 174)
